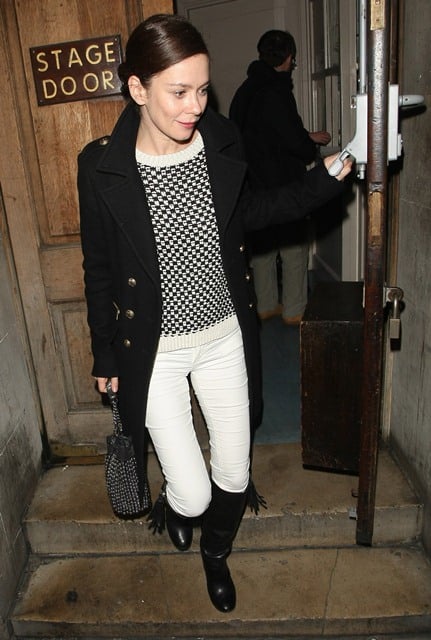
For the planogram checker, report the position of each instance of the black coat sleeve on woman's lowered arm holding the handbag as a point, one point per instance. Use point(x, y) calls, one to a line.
point(98, 276)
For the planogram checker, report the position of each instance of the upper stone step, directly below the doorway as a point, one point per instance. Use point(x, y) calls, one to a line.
point(70, 513)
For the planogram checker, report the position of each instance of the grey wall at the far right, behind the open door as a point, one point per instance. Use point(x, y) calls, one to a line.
point(411, 391)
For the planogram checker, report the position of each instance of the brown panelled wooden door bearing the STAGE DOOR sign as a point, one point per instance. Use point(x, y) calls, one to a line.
point(40, 143)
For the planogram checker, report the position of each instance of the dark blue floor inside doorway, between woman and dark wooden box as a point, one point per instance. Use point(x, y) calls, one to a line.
point(281, 383)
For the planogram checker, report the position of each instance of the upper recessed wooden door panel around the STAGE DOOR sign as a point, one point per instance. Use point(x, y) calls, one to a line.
point(61, 130)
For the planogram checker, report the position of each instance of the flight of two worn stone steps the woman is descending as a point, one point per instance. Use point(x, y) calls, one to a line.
point(297, 569)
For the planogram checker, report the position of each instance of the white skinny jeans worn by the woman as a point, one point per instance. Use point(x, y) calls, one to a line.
point(219, 378)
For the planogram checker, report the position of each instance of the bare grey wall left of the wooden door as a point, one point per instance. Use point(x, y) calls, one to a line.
point(20, 440)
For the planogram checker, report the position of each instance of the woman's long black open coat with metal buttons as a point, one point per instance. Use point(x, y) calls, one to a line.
point(121, 273)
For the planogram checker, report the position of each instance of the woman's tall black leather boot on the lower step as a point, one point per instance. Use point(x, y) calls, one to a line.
point(219, 526)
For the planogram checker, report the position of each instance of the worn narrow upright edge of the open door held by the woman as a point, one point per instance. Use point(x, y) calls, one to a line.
point(382, 30)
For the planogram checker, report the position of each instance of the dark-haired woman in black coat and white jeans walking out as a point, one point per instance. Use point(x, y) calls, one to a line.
point(164, 210)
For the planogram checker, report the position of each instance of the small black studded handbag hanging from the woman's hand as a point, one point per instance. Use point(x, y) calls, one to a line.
point(127, 498)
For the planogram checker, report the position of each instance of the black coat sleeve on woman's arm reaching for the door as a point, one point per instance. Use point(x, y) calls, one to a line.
point(266, 207)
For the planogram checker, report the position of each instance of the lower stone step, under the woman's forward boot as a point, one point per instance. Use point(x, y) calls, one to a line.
point(366, 592)
